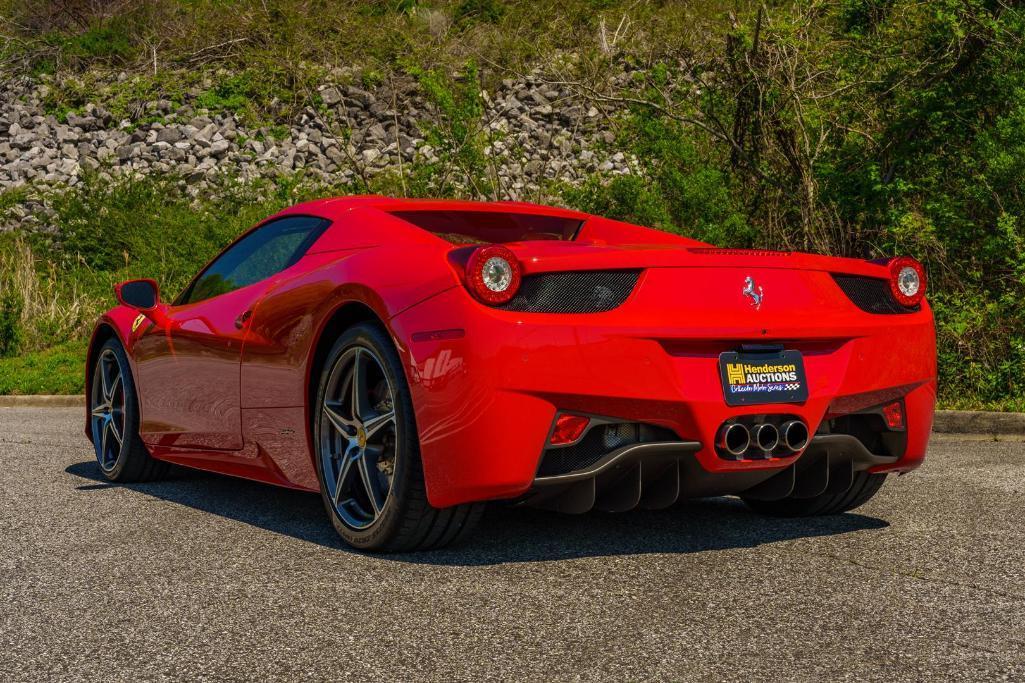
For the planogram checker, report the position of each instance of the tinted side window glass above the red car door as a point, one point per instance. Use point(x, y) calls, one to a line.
point(267, 251)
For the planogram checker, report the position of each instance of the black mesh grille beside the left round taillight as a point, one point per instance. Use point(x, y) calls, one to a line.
point(579, 292)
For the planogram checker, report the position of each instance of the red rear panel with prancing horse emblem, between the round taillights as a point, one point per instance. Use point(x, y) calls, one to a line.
point(705, 293)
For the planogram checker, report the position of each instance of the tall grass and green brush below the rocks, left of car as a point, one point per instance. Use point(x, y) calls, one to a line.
point(52, 292)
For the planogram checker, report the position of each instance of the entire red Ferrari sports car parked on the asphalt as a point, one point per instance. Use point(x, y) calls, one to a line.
point(413, 360)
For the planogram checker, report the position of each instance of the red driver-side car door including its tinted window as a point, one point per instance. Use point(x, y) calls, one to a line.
point(189, 370)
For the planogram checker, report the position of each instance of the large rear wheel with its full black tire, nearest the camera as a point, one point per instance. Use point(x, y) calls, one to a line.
point(368, 455)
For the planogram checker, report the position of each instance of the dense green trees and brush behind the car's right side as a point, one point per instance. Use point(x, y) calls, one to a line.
point(866, 128)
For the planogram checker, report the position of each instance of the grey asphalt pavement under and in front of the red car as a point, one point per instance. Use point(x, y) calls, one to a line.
point(208, 578)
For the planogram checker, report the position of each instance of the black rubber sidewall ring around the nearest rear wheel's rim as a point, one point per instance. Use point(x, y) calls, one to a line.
point(407, 441)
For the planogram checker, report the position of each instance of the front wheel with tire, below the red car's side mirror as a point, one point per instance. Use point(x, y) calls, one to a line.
point(114, 421)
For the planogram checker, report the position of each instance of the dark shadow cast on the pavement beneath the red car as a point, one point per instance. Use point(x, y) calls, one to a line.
point(506, 534)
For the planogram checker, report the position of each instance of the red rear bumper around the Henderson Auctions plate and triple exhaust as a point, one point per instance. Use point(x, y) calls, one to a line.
point(488, 384)
